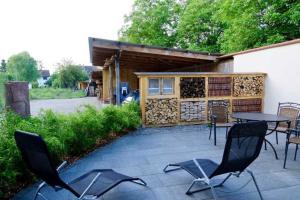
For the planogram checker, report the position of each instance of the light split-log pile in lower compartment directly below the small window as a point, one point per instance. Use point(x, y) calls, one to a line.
point(161, 111)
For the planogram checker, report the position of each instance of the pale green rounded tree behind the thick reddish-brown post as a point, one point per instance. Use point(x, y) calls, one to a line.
point(22, 67)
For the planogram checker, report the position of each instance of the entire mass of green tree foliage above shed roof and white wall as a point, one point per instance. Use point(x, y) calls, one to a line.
point(212, 25)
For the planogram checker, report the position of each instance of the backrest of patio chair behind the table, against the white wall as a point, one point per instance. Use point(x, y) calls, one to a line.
point(290, 110)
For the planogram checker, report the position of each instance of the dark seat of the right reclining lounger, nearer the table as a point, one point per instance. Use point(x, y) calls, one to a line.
point(208, 167)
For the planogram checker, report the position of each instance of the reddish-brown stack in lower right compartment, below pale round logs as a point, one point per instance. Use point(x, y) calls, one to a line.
point(247, 105)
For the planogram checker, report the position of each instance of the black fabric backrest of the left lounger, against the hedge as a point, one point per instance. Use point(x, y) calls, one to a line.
point(35, 153)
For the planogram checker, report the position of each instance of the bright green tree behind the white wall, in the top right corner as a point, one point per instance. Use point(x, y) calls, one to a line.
point(256, 23)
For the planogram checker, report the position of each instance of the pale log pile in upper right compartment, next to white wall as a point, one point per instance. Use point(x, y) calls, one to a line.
point(248, 86)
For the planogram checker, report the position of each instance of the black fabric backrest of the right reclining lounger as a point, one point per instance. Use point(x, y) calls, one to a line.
point(242, 147)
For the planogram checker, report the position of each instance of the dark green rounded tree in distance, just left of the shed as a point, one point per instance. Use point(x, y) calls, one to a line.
point(69, 74)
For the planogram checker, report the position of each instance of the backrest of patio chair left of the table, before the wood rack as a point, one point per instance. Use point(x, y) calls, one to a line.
point(220, 110)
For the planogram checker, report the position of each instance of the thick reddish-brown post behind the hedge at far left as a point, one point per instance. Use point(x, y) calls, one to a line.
point(17, 98)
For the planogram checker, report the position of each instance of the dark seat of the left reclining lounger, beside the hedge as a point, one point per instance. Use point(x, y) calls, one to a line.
point(106, 179)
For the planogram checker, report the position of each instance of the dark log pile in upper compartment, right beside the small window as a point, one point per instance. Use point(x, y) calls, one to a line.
point(193, 87)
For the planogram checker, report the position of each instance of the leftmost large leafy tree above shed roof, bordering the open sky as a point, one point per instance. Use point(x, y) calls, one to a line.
point(152, 22)
